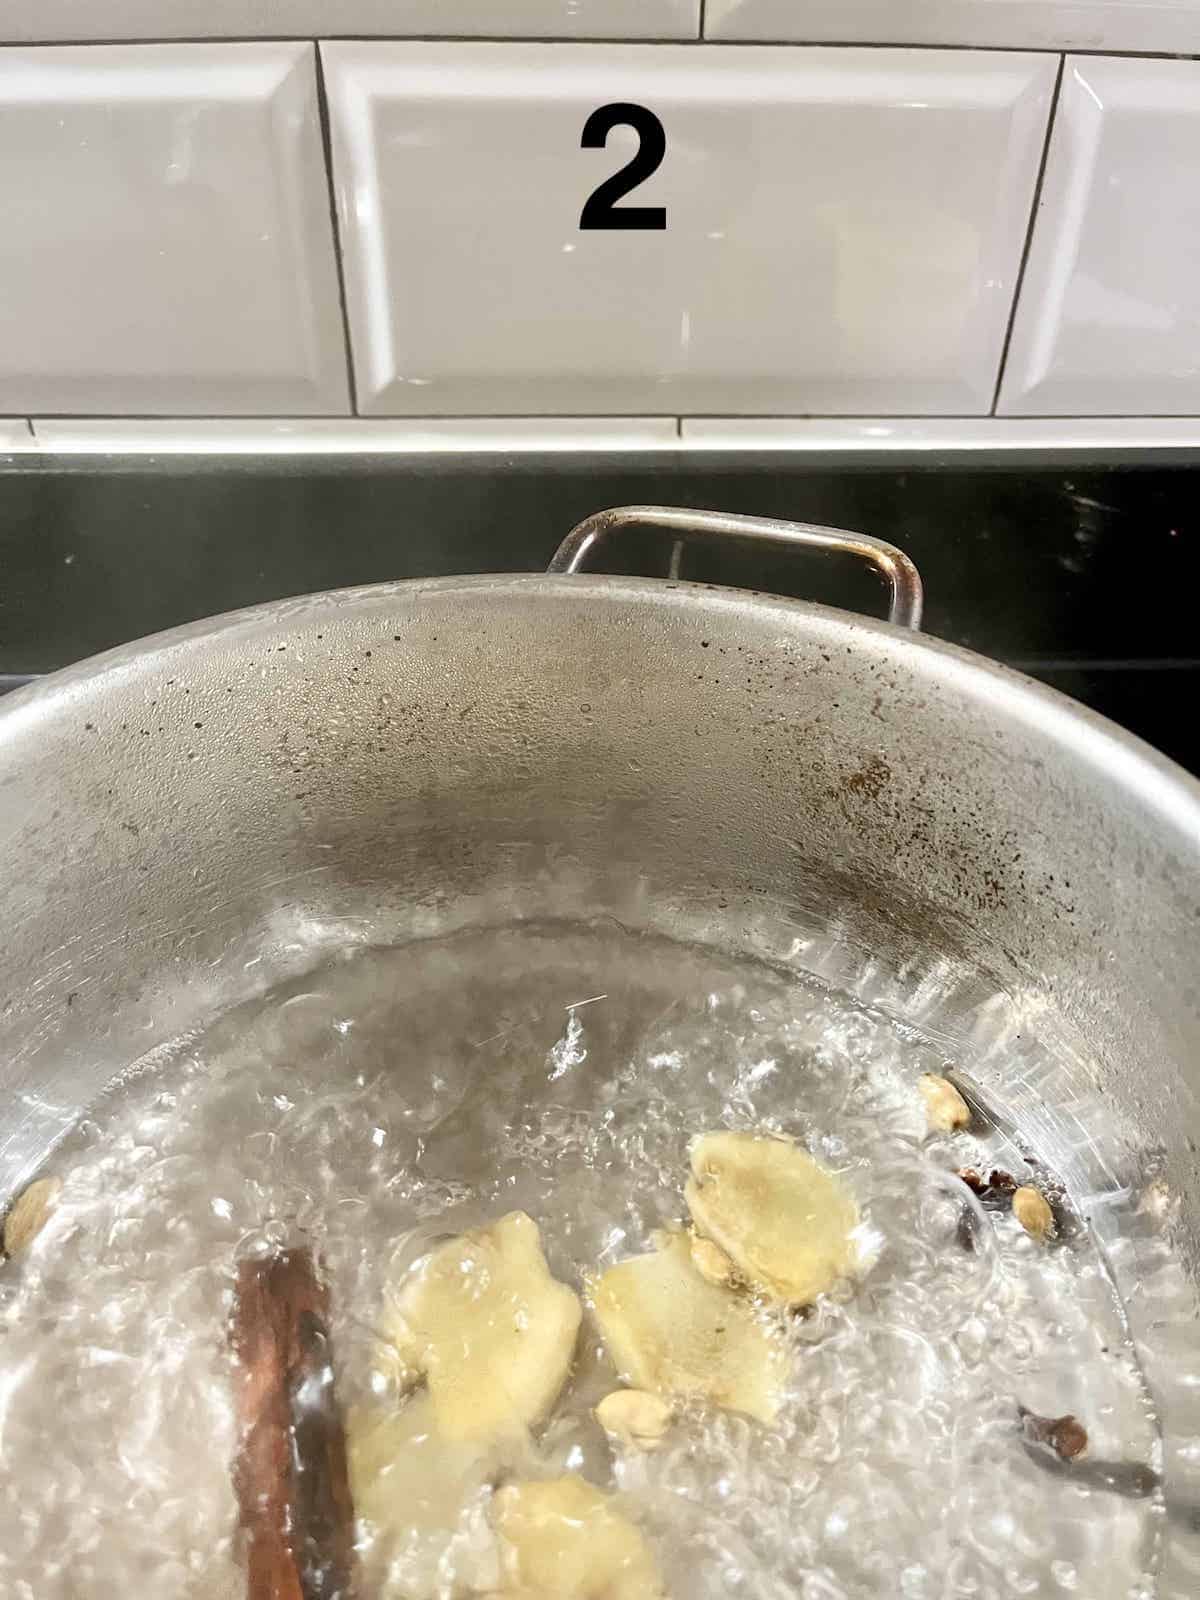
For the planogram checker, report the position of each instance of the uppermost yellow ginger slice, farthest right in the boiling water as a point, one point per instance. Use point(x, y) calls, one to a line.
point(785, 1222)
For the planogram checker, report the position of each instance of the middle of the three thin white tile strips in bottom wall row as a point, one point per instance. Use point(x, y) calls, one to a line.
point(351, 436)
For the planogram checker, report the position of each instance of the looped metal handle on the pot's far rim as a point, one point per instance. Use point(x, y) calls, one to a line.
point(908, 593)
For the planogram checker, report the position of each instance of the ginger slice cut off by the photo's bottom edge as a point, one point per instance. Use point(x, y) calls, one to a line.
point(564, 1540)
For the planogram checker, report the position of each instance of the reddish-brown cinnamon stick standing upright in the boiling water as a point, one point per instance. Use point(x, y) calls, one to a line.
point(290, 1474)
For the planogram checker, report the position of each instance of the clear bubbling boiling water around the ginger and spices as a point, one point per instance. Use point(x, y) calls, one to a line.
point(402, 1095)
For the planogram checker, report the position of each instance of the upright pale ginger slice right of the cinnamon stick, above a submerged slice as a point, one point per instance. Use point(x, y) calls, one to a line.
point(489, 1329)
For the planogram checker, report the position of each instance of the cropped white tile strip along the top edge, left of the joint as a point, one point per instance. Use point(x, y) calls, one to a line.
point(81, 20)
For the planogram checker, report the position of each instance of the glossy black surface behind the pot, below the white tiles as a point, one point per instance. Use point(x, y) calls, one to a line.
point(1084, 577)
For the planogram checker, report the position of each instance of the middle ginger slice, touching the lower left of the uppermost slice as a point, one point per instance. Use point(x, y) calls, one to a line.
point(671, 1332)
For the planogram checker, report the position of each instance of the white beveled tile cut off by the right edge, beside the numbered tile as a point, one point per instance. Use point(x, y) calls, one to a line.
point(1110, 313)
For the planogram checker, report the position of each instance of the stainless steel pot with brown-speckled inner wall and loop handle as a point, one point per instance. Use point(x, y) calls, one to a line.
point(193, 818)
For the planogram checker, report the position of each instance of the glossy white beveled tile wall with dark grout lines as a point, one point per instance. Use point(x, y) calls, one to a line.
point(604, 226)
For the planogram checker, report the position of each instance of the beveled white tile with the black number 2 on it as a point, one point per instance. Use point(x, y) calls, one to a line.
point(844, 228)
